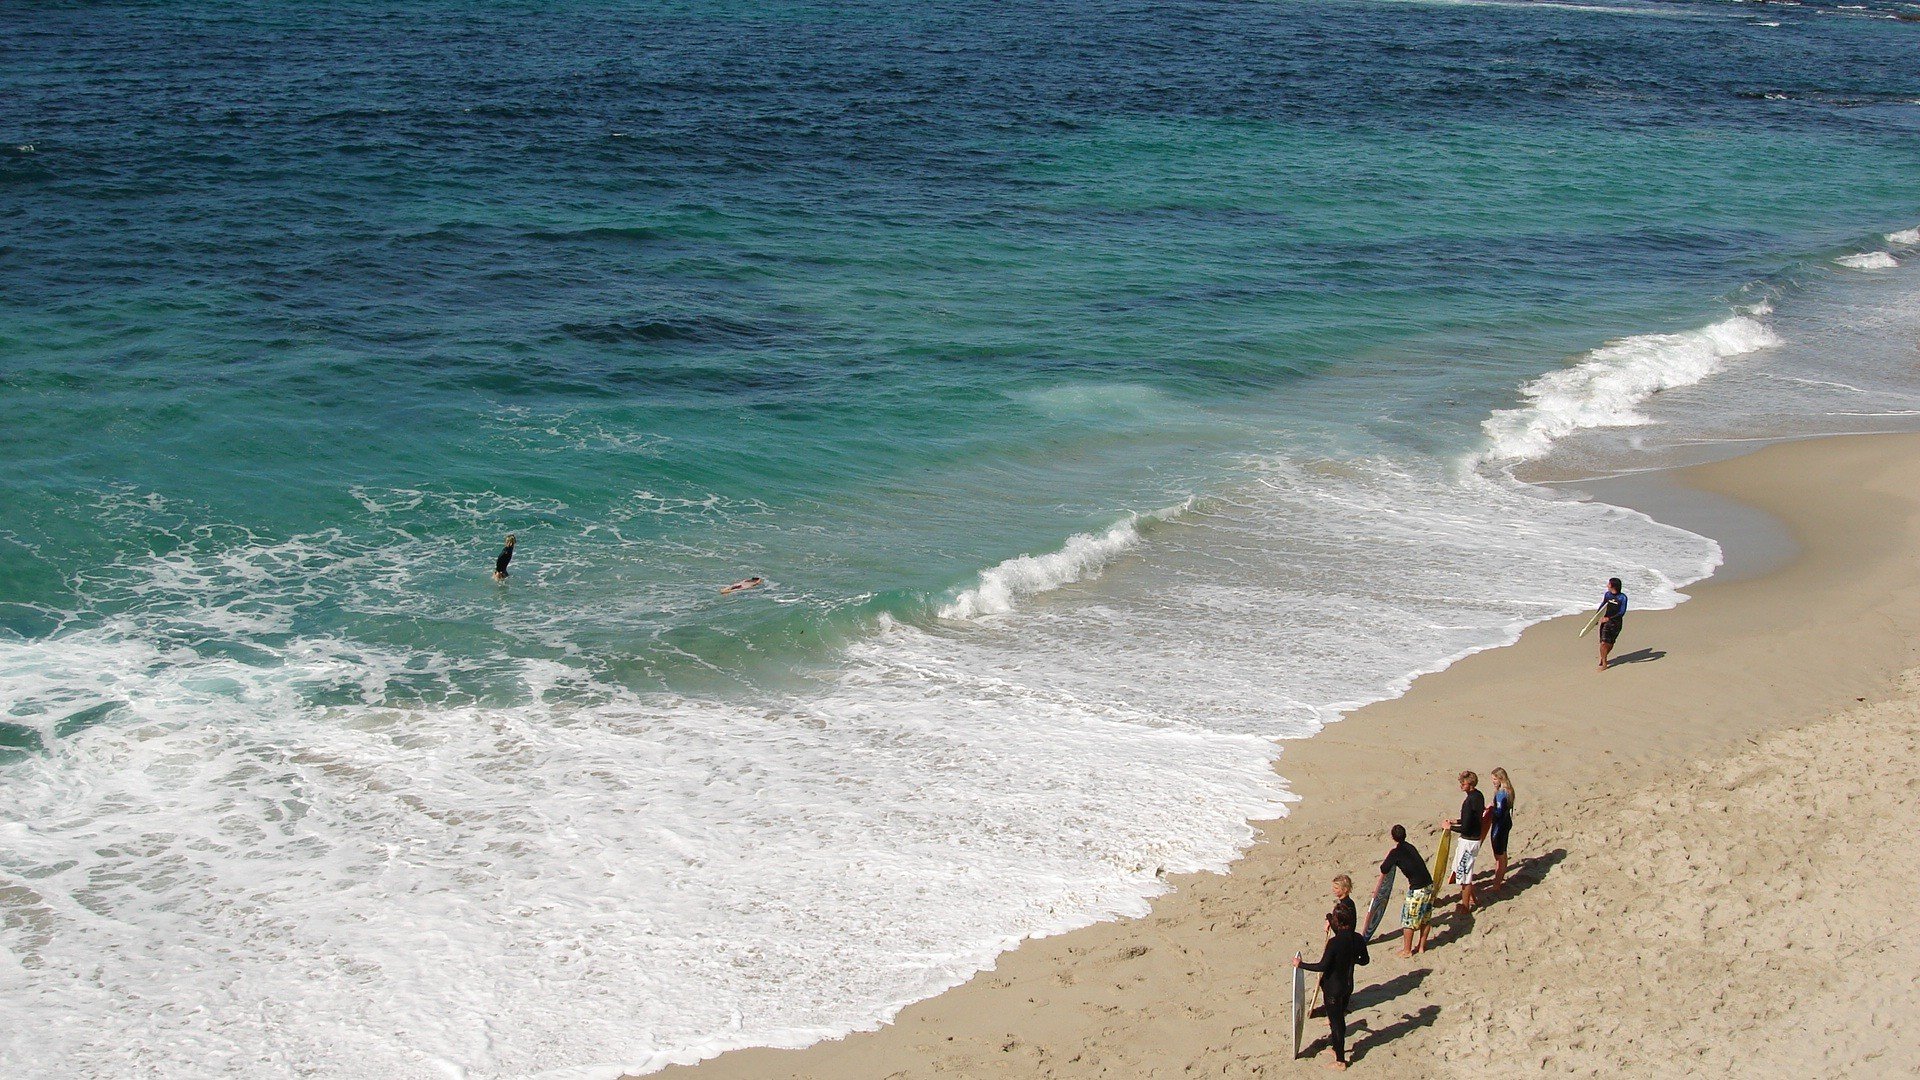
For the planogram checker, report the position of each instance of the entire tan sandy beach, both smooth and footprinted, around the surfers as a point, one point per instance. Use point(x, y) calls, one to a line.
point(1710, 862)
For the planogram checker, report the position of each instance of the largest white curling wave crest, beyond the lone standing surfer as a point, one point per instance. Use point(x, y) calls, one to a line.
point(1608, 387)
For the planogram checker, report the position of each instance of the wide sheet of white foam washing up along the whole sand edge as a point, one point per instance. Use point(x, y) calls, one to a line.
point(297, 877)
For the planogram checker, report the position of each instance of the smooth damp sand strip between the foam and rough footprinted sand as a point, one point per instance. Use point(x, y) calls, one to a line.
point(1812, 614)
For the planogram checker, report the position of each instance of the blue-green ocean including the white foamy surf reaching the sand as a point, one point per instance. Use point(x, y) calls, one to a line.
point(1107, 393)
